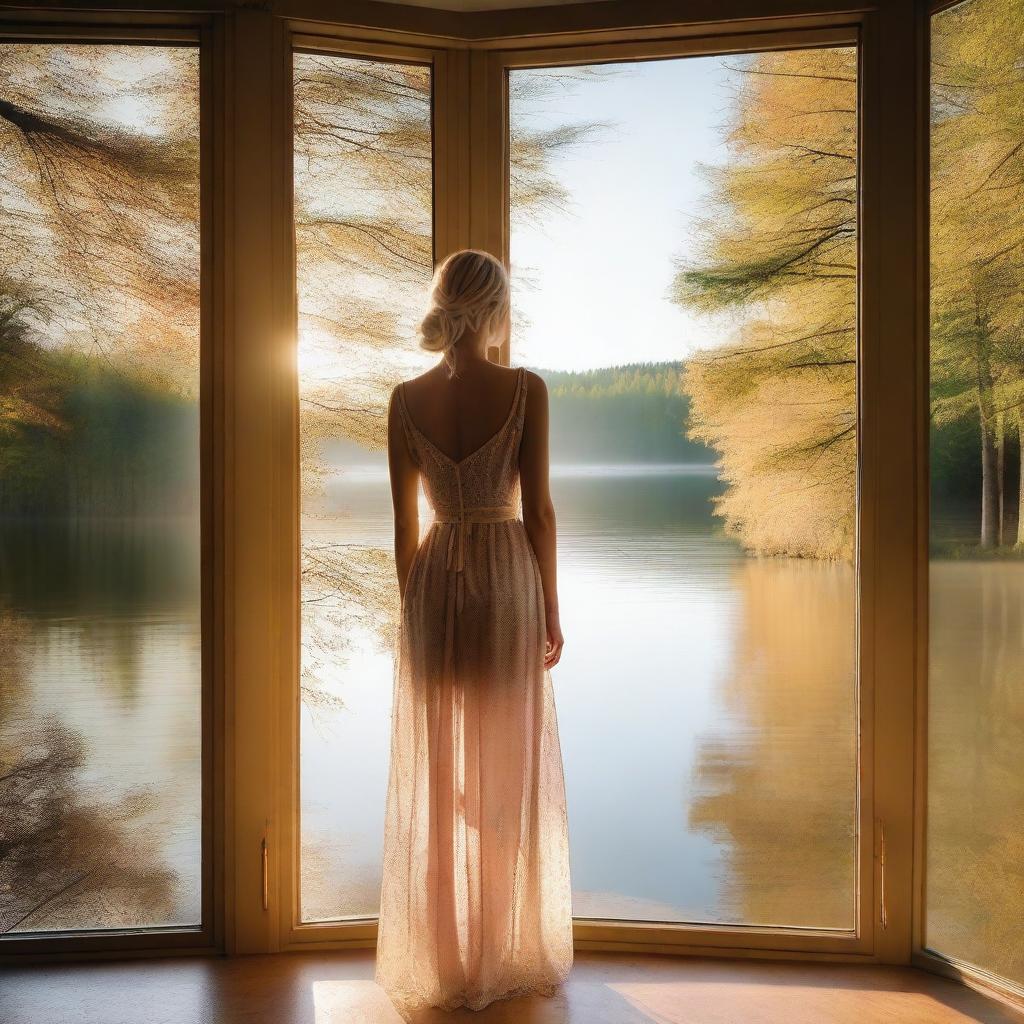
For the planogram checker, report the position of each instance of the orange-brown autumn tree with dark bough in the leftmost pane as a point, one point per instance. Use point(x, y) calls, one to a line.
point(101, 224)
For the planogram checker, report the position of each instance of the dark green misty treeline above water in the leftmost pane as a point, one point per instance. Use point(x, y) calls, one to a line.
point(83, 440)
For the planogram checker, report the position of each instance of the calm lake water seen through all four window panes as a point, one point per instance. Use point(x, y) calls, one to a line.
point(706, 706)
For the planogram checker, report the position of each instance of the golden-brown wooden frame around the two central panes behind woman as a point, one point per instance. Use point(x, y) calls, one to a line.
point(886, 563)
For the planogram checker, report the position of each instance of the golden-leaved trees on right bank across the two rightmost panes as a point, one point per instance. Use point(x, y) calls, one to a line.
point(779, 251)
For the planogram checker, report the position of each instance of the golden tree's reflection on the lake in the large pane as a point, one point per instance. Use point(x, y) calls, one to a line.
point(779, 773)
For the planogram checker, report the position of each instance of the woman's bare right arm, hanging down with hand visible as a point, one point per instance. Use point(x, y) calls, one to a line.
point(538, 509)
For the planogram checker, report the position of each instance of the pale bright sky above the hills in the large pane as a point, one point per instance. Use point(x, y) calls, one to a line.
point(592, 283)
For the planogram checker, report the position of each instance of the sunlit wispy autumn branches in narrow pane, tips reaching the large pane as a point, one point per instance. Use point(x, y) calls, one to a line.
point(364, 189)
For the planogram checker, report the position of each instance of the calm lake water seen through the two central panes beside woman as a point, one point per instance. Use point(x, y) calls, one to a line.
point(706, 705)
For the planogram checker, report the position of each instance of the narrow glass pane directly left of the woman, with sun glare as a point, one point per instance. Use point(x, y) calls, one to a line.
point(364, 231)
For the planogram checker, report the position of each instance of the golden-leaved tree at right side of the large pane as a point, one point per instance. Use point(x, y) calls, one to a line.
point(779, 253)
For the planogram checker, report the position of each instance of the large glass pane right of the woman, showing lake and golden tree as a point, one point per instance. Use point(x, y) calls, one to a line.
point(685, 260)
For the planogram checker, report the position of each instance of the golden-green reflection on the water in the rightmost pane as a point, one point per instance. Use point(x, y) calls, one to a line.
point(975, 894)
